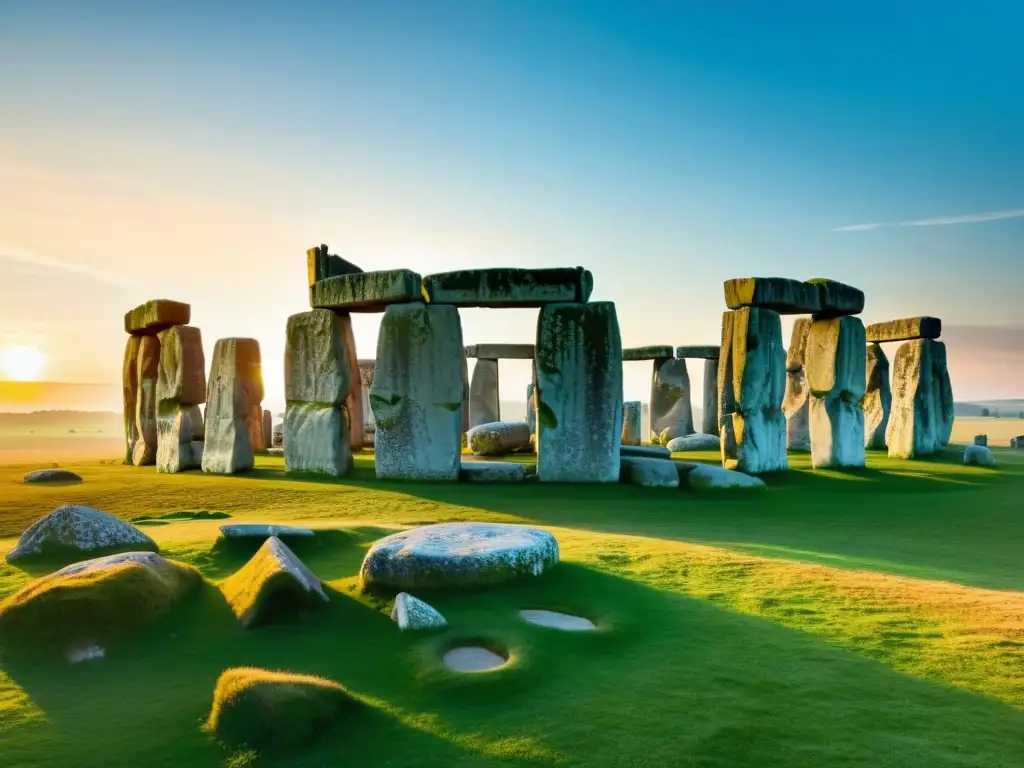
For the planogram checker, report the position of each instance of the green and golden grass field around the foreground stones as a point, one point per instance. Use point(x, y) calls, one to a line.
point(842, 619)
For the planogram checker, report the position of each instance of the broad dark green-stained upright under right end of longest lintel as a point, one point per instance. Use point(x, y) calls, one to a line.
point(579, 394)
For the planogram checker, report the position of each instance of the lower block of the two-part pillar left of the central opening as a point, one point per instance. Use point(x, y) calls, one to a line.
point(318, 440)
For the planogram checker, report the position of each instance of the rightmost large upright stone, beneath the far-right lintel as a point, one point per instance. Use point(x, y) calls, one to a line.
point(913, 429)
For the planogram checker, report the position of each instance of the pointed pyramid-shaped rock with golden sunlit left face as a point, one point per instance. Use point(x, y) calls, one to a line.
point(274, 580)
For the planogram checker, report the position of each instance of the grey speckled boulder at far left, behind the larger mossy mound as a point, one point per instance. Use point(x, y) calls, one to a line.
point(74, 531)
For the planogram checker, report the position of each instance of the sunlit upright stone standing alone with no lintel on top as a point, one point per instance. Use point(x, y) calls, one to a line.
point(235, 389)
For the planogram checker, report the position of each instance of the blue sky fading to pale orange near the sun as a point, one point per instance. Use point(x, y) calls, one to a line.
point(195, 151)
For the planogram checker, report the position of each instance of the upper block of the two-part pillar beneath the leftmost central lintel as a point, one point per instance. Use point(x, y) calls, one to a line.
point(317, 360)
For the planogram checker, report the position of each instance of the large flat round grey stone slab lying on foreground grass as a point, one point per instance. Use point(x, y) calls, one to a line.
point(458, 554)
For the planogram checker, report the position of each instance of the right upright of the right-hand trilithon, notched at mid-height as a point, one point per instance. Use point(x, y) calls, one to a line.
point(836, 375)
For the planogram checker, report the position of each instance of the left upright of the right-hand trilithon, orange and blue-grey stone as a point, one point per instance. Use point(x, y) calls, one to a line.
point(752, 386)
